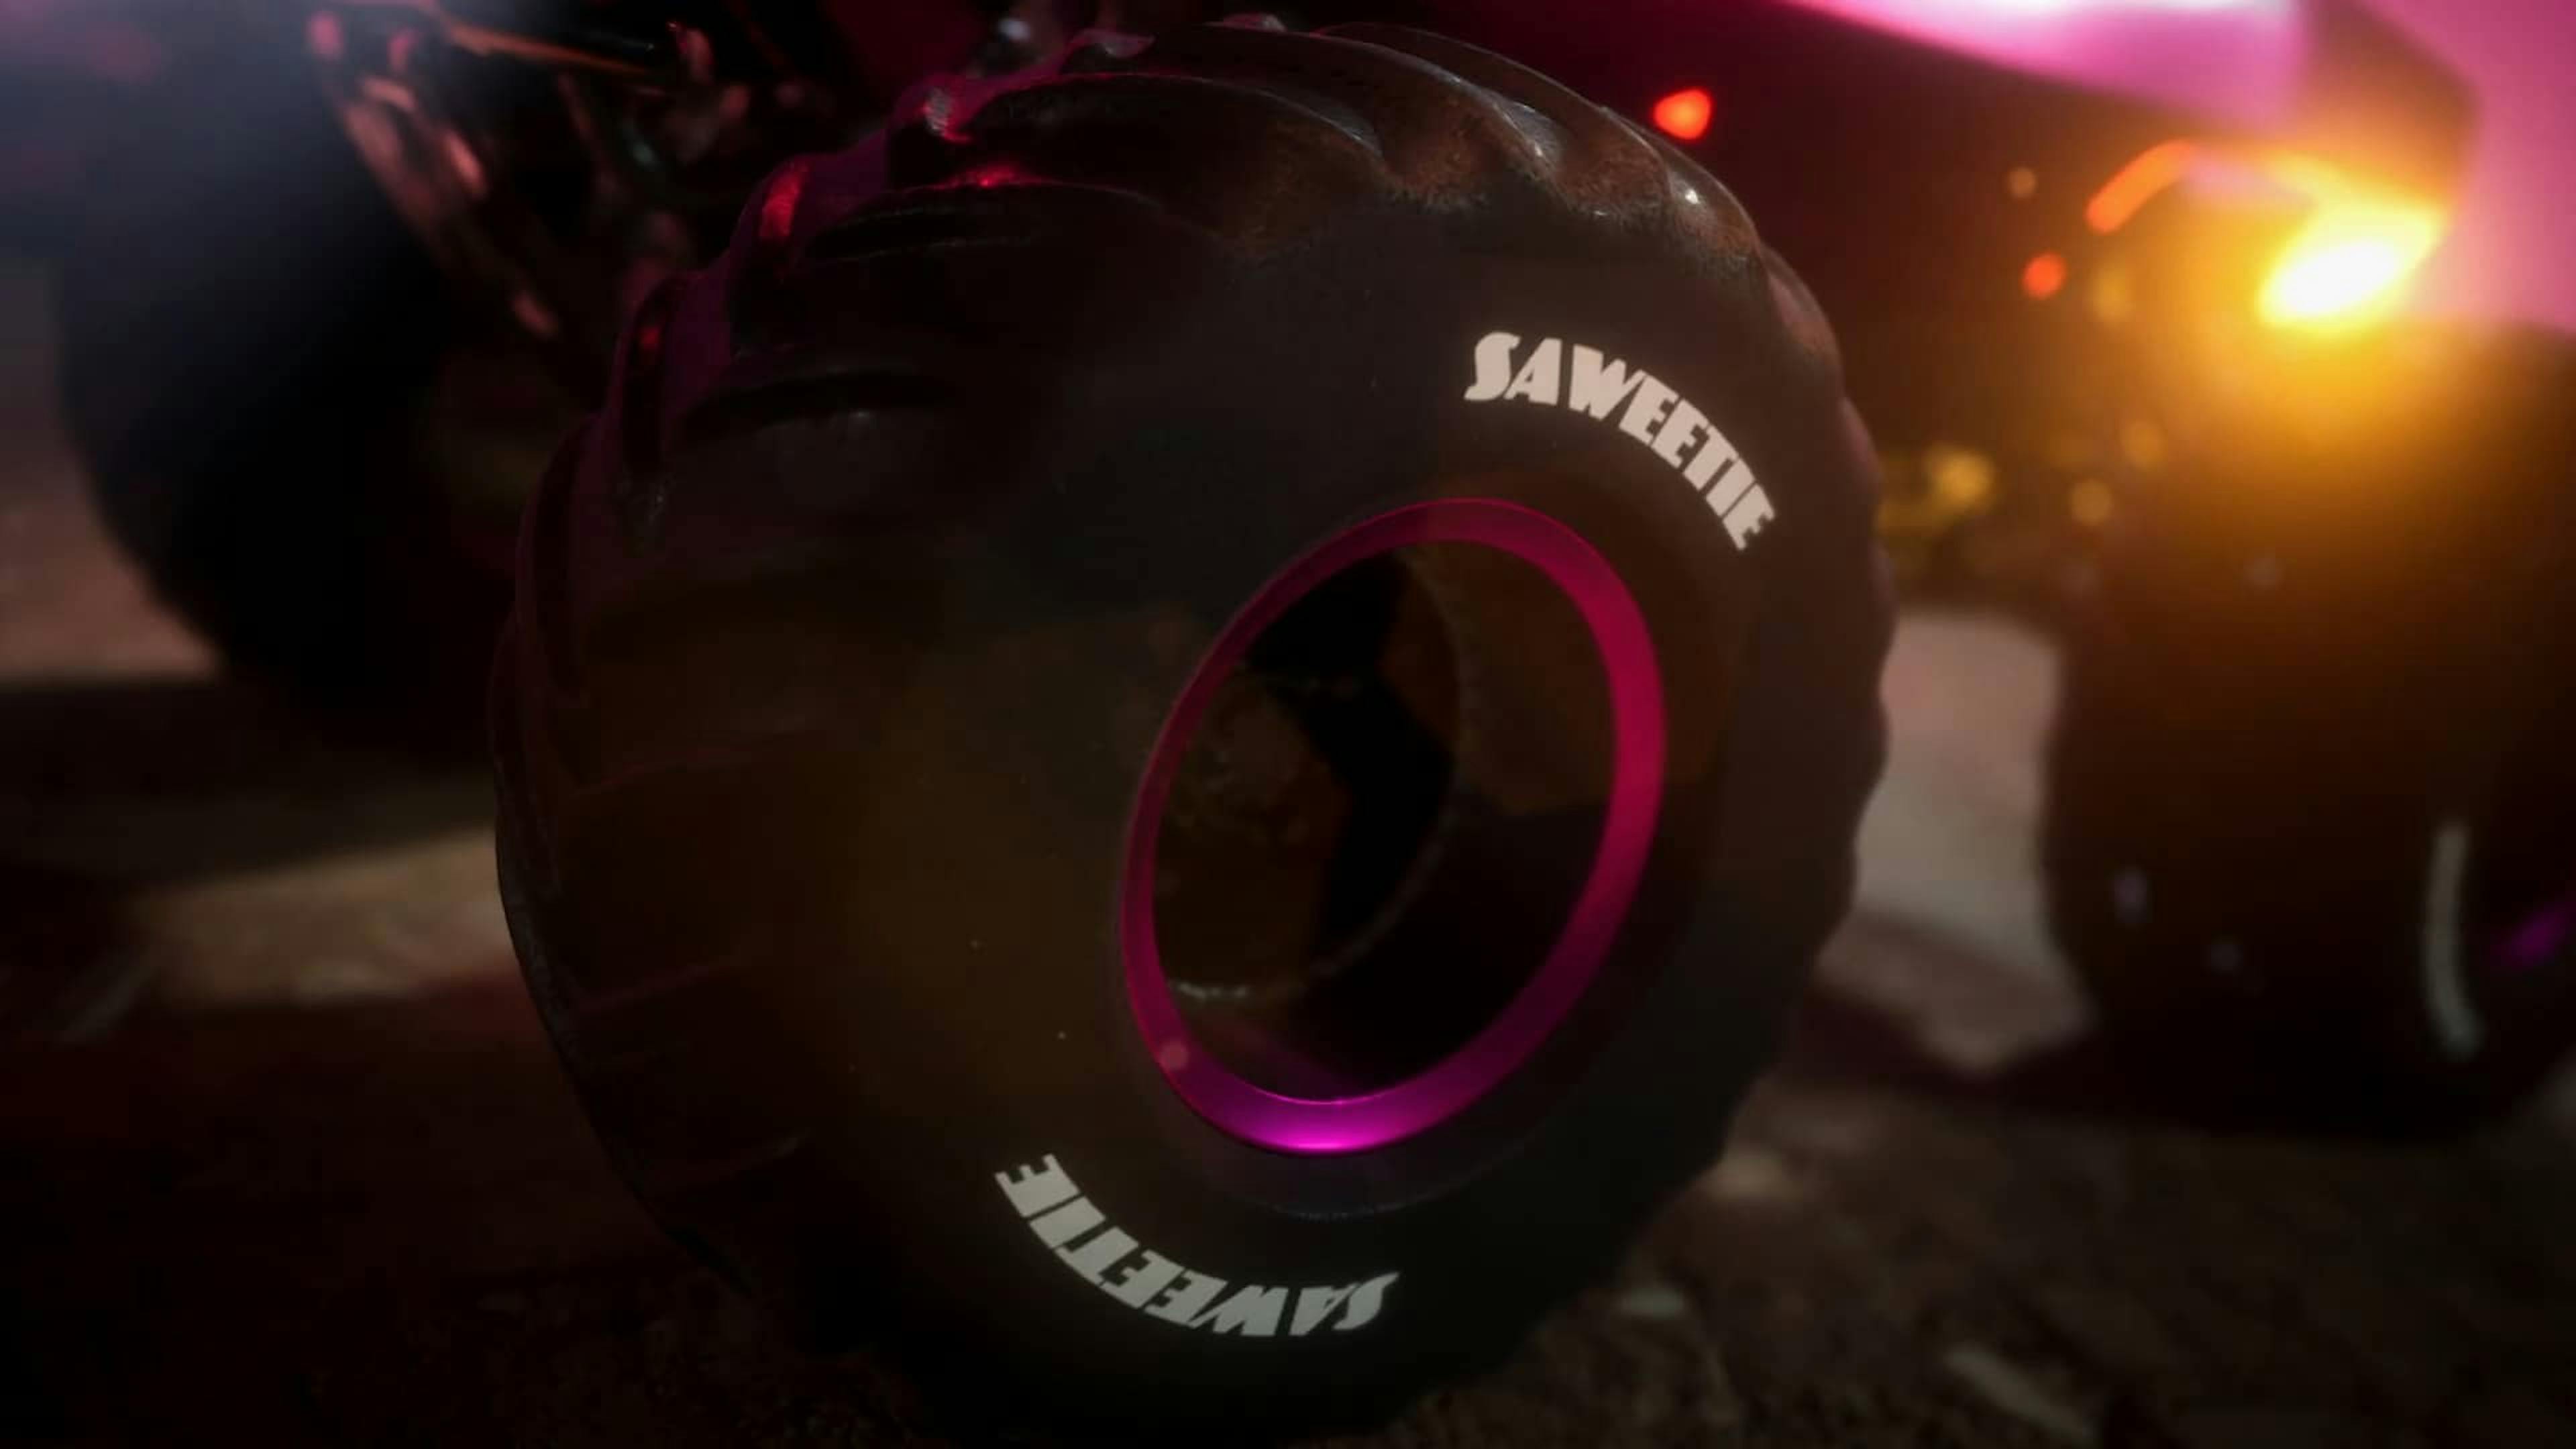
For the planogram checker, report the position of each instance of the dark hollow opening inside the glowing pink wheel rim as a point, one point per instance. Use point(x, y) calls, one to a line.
point(1382, 819)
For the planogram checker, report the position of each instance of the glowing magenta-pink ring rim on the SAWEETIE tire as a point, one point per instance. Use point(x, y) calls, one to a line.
point(1637, 783)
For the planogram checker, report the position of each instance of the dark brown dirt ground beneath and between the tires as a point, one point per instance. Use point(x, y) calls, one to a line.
point(310, 1172)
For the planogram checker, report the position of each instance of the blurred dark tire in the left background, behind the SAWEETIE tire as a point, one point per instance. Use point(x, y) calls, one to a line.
point(251, 344)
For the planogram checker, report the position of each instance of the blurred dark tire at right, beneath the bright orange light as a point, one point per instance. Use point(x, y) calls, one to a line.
point(2312, 821)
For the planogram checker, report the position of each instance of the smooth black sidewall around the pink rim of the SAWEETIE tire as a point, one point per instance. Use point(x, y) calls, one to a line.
point(1153, 501)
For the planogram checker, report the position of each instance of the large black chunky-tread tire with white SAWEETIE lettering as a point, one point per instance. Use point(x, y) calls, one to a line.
point(846, 633)
